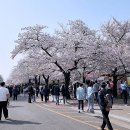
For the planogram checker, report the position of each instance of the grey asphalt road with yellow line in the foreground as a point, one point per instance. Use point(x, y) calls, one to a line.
point(48, 116)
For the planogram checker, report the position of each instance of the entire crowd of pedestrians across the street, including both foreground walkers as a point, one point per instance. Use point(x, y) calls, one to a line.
point(89, 92)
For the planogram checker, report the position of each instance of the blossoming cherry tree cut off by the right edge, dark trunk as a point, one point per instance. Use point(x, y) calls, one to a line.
point(116, 46)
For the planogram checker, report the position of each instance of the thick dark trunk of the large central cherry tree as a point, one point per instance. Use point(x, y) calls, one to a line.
point(67, 82)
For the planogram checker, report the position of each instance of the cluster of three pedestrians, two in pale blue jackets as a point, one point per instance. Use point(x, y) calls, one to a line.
point(87, 92)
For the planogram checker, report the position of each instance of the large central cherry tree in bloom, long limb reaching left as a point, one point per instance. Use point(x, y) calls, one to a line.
point(66, 49)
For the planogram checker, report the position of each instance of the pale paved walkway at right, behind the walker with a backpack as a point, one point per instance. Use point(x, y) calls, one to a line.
point(119, 114)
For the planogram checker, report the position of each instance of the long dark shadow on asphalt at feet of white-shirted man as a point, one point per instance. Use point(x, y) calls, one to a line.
point(18, 122)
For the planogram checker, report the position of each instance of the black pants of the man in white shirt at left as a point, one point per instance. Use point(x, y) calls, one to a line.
point(3, 106)
